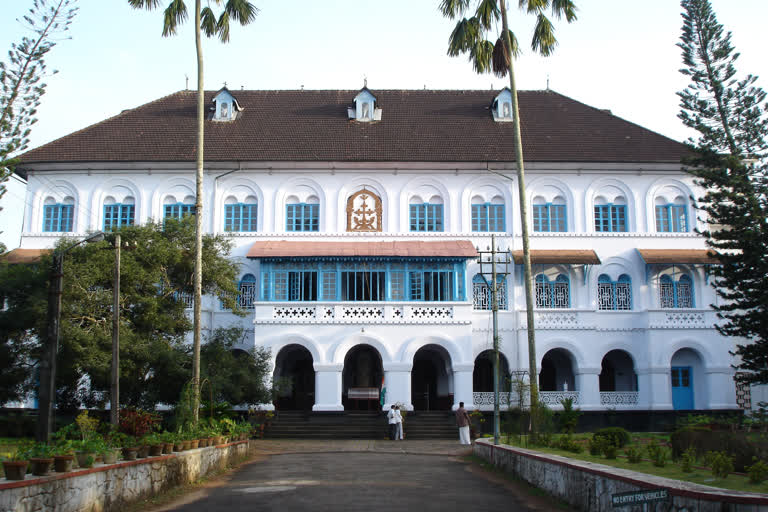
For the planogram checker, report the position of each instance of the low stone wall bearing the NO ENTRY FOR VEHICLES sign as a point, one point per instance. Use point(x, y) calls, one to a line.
point(589, 486)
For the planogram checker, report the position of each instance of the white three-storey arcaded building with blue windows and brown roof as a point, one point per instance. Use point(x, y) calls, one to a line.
point(356, 214)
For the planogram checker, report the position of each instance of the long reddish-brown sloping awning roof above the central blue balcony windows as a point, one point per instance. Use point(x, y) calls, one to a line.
point(413, 249)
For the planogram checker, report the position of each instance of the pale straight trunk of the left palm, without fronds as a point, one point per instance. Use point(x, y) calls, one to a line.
point(198, 278)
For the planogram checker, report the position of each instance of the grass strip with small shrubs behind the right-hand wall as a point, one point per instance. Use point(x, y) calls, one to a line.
point(736, 482)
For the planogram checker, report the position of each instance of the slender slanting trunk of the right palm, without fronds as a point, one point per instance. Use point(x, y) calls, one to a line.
point(534, 388)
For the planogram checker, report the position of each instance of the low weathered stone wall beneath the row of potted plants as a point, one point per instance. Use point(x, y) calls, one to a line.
point(106, 488)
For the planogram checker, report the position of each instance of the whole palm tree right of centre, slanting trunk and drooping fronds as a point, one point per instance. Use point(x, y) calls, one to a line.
point(469, 36)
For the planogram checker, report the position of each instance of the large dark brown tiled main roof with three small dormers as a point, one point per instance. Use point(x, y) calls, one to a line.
point(418, 126)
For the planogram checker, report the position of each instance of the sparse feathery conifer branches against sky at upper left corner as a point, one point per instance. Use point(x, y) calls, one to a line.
point(21, 85)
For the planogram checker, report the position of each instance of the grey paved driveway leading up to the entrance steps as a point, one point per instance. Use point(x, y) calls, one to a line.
point(365, 476)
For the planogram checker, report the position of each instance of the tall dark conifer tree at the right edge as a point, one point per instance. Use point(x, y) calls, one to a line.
point(729, 163)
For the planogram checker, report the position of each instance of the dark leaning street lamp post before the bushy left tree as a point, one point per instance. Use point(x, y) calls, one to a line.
point(47, 389)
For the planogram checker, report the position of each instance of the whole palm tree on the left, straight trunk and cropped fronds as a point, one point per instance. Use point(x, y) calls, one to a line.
point(243, 12)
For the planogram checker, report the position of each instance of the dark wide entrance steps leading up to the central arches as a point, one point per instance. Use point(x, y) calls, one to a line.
point(359, 425)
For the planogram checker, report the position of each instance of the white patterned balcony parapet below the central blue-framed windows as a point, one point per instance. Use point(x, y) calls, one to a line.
point(443, 313)
